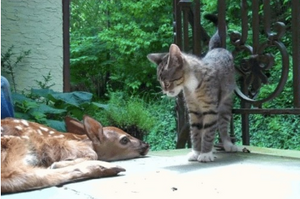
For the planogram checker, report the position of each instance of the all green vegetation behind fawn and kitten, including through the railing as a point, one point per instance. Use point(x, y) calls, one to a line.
point(118, 86)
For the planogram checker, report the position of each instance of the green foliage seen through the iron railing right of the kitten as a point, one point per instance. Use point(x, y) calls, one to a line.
point(275, 131)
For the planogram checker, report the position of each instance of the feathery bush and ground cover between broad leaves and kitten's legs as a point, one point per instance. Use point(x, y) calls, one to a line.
point(149, 121)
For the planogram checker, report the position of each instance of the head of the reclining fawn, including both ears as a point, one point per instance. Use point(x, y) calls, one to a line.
point(110, 143)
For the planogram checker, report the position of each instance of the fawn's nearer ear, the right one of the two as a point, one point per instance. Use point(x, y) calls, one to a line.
point(93, 130)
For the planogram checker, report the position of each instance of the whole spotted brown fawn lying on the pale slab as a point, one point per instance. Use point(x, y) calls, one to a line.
point(35, 156)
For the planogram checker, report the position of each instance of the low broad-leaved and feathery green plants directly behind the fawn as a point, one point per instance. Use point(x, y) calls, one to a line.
point(151, 122)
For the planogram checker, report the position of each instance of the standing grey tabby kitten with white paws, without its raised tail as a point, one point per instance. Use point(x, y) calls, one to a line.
point(207, 85)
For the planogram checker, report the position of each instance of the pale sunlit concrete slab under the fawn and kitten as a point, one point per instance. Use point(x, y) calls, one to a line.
point(263, 173)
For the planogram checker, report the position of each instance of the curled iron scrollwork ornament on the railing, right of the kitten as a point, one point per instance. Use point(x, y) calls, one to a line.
point(254, 68)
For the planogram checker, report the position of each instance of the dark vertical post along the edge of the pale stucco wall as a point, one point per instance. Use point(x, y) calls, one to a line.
point(66, 45)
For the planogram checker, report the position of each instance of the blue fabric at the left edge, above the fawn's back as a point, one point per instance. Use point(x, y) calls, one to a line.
point(7, 109)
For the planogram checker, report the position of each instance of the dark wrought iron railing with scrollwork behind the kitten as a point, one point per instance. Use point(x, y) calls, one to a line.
point(253, 67)
